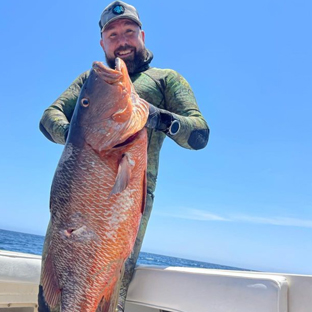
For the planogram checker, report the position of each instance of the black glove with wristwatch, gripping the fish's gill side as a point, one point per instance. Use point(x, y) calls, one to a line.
point(162, 120)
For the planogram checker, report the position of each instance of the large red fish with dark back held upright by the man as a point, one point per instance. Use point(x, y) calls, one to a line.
point(98, 194)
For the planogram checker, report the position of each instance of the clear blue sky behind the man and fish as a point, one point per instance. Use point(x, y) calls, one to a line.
point(245, 200)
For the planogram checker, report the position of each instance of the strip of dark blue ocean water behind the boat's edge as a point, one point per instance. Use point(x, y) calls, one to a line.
point(33, 244)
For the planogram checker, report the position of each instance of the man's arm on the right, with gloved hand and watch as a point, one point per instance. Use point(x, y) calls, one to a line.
point(181, 120)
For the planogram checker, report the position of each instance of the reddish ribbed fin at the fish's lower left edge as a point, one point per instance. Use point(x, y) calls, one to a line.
point(51, 290)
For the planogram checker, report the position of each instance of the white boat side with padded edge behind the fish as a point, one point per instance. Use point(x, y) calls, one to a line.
point(171, 289)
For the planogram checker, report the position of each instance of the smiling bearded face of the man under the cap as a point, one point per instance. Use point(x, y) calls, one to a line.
point(123, 38)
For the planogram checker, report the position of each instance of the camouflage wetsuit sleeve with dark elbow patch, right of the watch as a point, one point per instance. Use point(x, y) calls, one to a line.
point(180, 100)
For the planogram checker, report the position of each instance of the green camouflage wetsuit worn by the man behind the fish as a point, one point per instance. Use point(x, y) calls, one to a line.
point(164, 88)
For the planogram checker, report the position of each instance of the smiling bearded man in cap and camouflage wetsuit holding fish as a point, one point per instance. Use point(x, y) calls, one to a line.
point(173, 108)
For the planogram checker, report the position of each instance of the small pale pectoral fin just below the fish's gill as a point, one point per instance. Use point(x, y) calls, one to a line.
point(123, 175)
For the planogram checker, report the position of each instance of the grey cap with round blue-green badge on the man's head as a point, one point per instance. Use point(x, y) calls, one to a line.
point(116, 10)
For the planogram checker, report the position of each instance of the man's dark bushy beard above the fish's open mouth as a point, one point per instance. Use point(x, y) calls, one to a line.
point(133, 64)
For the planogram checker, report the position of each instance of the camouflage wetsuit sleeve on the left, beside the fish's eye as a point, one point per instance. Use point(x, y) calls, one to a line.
point(54, 123)
